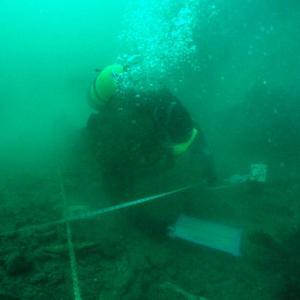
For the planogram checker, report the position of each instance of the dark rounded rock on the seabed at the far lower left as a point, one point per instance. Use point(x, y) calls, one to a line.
point(18, 264)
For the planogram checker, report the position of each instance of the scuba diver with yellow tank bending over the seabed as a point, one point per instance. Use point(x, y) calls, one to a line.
point(133, 134)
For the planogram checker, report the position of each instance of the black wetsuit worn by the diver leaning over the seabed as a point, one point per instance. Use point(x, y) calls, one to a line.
point(131, 136)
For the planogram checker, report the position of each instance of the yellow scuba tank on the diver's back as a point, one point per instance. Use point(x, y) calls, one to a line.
point(105, 86)
